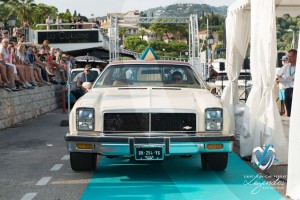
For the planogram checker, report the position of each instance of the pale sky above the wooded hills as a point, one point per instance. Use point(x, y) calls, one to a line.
point(100, 8)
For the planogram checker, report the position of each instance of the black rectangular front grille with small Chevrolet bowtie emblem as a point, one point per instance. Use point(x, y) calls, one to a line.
point(149, 122)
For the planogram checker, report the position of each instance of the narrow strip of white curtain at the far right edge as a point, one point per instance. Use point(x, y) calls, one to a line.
point(293, 184)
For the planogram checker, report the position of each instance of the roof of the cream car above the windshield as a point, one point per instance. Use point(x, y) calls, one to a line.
point(149, 62)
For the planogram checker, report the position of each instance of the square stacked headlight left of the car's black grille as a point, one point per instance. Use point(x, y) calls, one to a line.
point(85, 119)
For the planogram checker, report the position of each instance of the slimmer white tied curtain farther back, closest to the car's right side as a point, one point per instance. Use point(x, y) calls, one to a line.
point(238, 37)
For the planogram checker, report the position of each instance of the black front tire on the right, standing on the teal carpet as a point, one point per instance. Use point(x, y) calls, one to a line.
point(214, 161)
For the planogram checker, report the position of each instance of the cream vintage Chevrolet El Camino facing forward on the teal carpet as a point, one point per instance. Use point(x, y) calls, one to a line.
point(149, 110)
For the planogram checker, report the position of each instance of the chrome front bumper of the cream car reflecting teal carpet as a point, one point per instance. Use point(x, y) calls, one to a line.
point(173, 145)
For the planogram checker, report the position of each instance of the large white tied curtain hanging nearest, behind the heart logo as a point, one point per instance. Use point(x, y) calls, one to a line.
point(261, 114)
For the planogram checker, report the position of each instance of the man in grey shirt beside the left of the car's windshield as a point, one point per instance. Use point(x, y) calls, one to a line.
point(76, 87)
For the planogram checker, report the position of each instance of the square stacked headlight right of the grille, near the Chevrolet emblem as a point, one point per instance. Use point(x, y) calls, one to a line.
point(213, 119)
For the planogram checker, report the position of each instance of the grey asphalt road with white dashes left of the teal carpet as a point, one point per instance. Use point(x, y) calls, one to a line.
point(35, 162)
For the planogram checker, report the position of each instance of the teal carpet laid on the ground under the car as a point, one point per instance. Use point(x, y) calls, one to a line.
point(175, 178)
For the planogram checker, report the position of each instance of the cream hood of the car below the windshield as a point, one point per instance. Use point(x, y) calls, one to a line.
point(148, 99)
